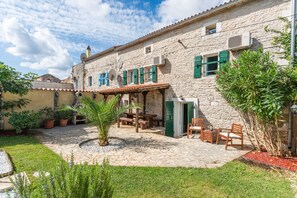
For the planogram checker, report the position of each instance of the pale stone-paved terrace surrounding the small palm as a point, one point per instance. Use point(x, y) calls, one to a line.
point(146, 148)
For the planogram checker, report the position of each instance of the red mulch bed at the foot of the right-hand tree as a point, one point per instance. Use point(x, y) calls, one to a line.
point(264, 159)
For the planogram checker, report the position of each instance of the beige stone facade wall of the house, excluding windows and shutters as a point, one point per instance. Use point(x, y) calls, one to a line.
point(180, 45)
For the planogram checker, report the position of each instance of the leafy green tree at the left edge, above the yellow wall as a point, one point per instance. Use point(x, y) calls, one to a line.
point(15, 83)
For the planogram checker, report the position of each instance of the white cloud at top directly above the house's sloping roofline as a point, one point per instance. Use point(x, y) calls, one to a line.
point(171, 11)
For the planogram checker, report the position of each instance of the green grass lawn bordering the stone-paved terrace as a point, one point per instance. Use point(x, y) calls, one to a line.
point(235, 179)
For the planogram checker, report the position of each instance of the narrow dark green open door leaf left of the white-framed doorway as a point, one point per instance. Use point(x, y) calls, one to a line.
point(169, 119)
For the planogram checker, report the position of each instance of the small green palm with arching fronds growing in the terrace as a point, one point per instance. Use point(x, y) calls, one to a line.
point(102, 114)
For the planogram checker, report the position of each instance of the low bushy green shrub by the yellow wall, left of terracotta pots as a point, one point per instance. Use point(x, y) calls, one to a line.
point(24, 120)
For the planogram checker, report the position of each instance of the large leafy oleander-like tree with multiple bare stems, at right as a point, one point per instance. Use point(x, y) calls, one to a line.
point(256, 86)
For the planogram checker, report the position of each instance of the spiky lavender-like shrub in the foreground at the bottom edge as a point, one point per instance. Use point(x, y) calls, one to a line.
point(65, 181)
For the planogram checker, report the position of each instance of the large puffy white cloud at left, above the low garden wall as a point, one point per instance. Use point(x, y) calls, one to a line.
point(38, 47)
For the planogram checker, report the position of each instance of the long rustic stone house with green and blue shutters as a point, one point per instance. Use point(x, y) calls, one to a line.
point(171, 71)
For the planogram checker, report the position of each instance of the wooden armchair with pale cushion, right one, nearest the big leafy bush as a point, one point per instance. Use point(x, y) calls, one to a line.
point(229, 134)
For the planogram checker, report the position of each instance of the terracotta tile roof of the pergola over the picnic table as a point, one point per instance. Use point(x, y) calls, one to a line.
point(135, 88)
